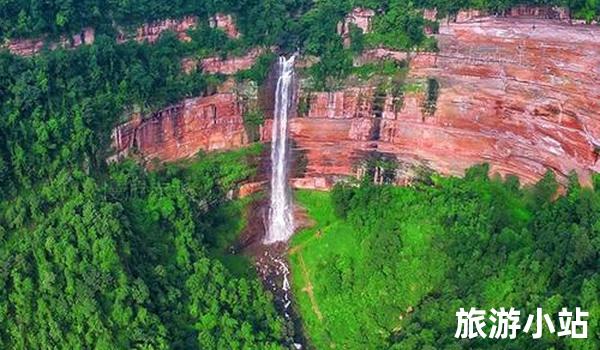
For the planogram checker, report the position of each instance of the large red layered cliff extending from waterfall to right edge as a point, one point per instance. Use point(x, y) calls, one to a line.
point(519, 93)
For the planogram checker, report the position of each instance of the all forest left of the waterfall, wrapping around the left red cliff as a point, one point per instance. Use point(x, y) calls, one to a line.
point(114, 256)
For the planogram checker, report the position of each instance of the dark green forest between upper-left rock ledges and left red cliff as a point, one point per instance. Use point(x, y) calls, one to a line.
point(59, 109)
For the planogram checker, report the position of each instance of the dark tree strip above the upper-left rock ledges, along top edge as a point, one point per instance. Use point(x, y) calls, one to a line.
point(19, 18)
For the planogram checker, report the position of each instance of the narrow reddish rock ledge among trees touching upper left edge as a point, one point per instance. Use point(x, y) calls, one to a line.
point(29, 47)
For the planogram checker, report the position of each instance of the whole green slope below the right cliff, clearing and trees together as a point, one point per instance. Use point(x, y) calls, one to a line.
point(388, 267)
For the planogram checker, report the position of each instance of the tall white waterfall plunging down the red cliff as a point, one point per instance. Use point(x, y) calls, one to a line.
point(281, 224)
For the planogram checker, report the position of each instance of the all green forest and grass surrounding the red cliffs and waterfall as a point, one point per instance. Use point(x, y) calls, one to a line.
point(116, 256)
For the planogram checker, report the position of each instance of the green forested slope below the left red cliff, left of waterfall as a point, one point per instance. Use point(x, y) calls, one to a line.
point(124, 263)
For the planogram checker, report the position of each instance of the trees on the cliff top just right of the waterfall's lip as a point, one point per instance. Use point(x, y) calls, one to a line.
point(399, 27)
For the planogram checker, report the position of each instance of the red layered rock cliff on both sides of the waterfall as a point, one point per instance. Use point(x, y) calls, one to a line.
point(519, 93)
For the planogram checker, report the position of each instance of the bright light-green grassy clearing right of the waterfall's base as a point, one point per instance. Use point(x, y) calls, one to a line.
point(352, 306)
